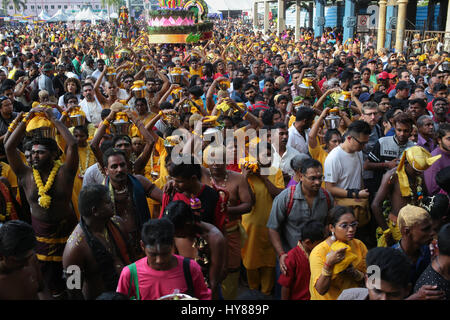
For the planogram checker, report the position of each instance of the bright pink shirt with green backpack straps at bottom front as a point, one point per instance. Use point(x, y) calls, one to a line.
point(154, 284)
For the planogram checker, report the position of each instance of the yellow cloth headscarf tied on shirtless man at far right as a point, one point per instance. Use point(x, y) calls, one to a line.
point(420, 159)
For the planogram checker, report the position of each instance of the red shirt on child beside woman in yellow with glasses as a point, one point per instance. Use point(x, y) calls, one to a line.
point(297, 275)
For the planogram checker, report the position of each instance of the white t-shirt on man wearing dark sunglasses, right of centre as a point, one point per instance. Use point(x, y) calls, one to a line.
point(344, 169)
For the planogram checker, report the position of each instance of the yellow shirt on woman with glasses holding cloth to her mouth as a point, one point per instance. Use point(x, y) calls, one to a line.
point(341, 282)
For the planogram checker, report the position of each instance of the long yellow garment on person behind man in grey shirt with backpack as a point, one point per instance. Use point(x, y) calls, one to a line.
point(258, 250)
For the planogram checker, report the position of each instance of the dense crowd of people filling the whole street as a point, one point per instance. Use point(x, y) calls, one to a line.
point(250, 166)
